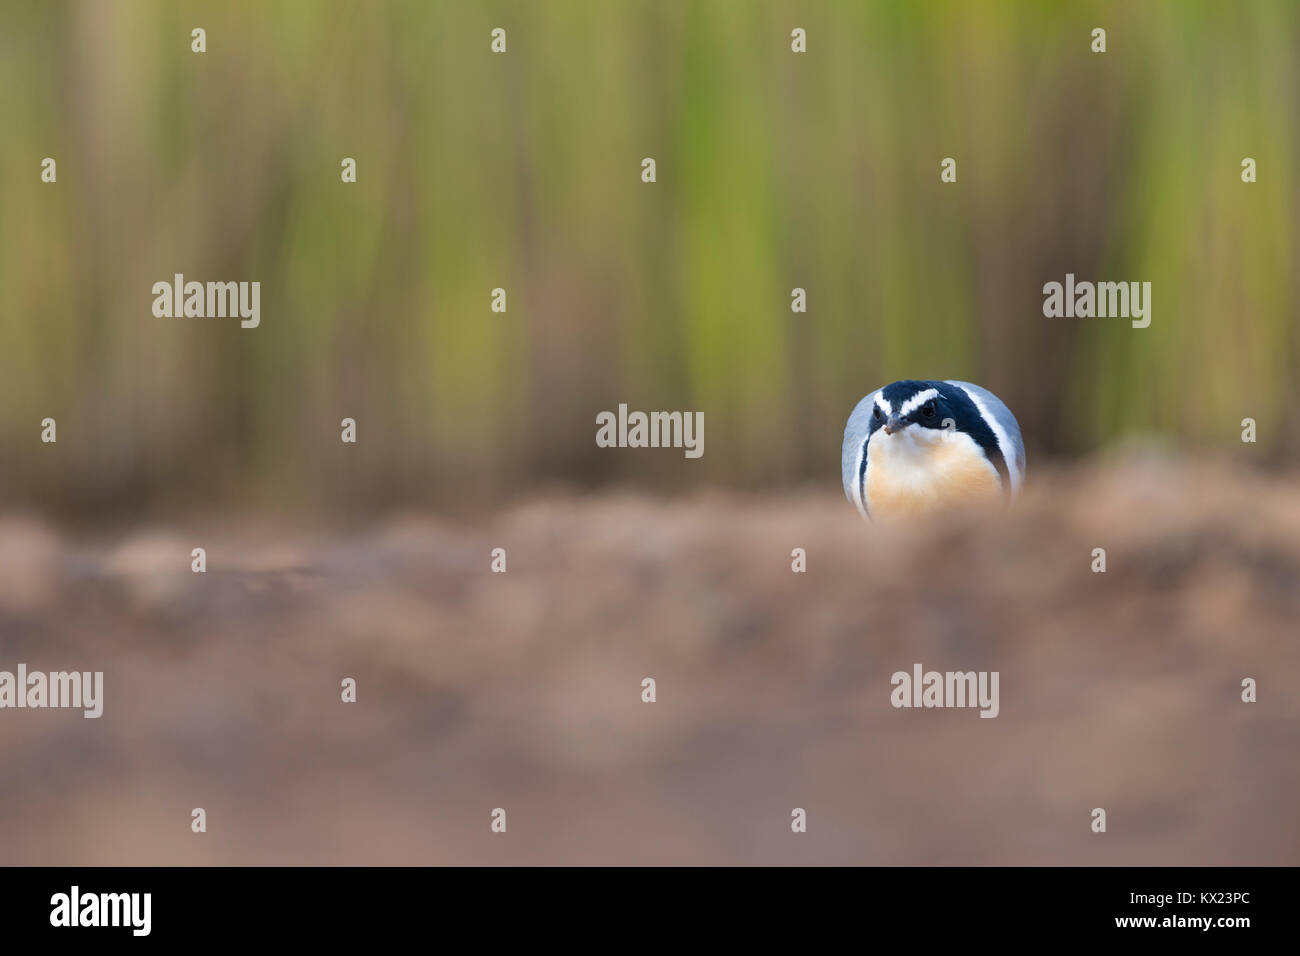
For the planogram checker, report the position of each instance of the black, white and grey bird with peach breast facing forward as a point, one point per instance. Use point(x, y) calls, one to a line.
point(916, 448)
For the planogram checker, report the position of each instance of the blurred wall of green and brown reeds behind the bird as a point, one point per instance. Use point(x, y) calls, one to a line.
point(523, 171)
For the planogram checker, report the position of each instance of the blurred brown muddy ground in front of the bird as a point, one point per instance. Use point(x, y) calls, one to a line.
point(523, 690)
